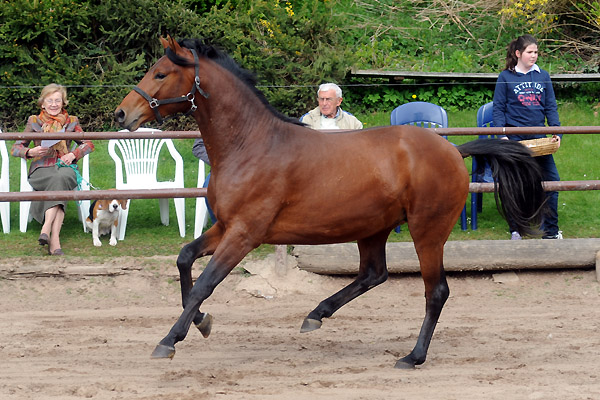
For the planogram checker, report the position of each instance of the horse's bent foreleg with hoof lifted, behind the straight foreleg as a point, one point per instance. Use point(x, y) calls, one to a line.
point(202, 246)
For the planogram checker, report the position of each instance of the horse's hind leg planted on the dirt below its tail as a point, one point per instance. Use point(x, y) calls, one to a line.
point(436, 294)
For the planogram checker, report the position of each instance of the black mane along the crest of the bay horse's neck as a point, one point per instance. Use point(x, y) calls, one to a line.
point(213, 53)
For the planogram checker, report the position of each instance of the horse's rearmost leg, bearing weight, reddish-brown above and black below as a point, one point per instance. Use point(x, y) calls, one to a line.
point(429, 244)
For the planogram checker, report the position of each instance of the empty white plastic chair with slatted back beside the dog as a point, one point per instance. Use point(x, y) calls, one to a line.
point(140, 161)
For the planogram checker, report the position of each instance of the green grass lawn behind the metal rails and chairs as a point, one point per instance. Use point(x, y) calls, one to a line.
point(579, 212)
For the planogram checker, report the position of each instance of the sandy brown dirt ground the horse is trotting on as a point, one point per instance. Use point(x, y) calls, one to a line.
point(88, 335)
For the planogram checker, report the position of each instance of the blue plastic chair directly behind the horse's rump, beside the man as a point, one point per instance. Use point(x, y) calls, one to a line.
point(425, 115)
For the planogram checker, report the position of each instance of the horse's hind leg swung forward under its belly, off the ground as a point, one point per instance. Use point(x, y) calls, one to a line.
point(372, 272)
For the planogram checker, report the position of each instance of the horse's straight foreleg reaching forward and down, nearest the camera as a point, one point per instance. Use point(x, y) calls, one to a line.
point(229, 253)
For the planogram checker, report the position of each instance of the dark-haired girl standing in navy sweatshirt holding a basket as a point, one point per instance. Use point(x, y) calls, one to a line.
point(524, 96)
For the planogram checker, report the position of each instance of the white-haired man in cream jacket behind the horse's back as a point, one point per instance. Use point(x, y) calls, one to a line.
point(329, 114)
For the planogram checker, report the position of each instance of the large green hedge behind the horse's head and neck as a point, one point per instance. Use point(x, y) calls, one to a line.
point(101, 49)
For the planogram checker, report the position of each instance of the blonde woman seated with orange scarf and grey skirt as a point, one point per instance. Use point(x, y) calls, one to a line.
point(49, 169)
